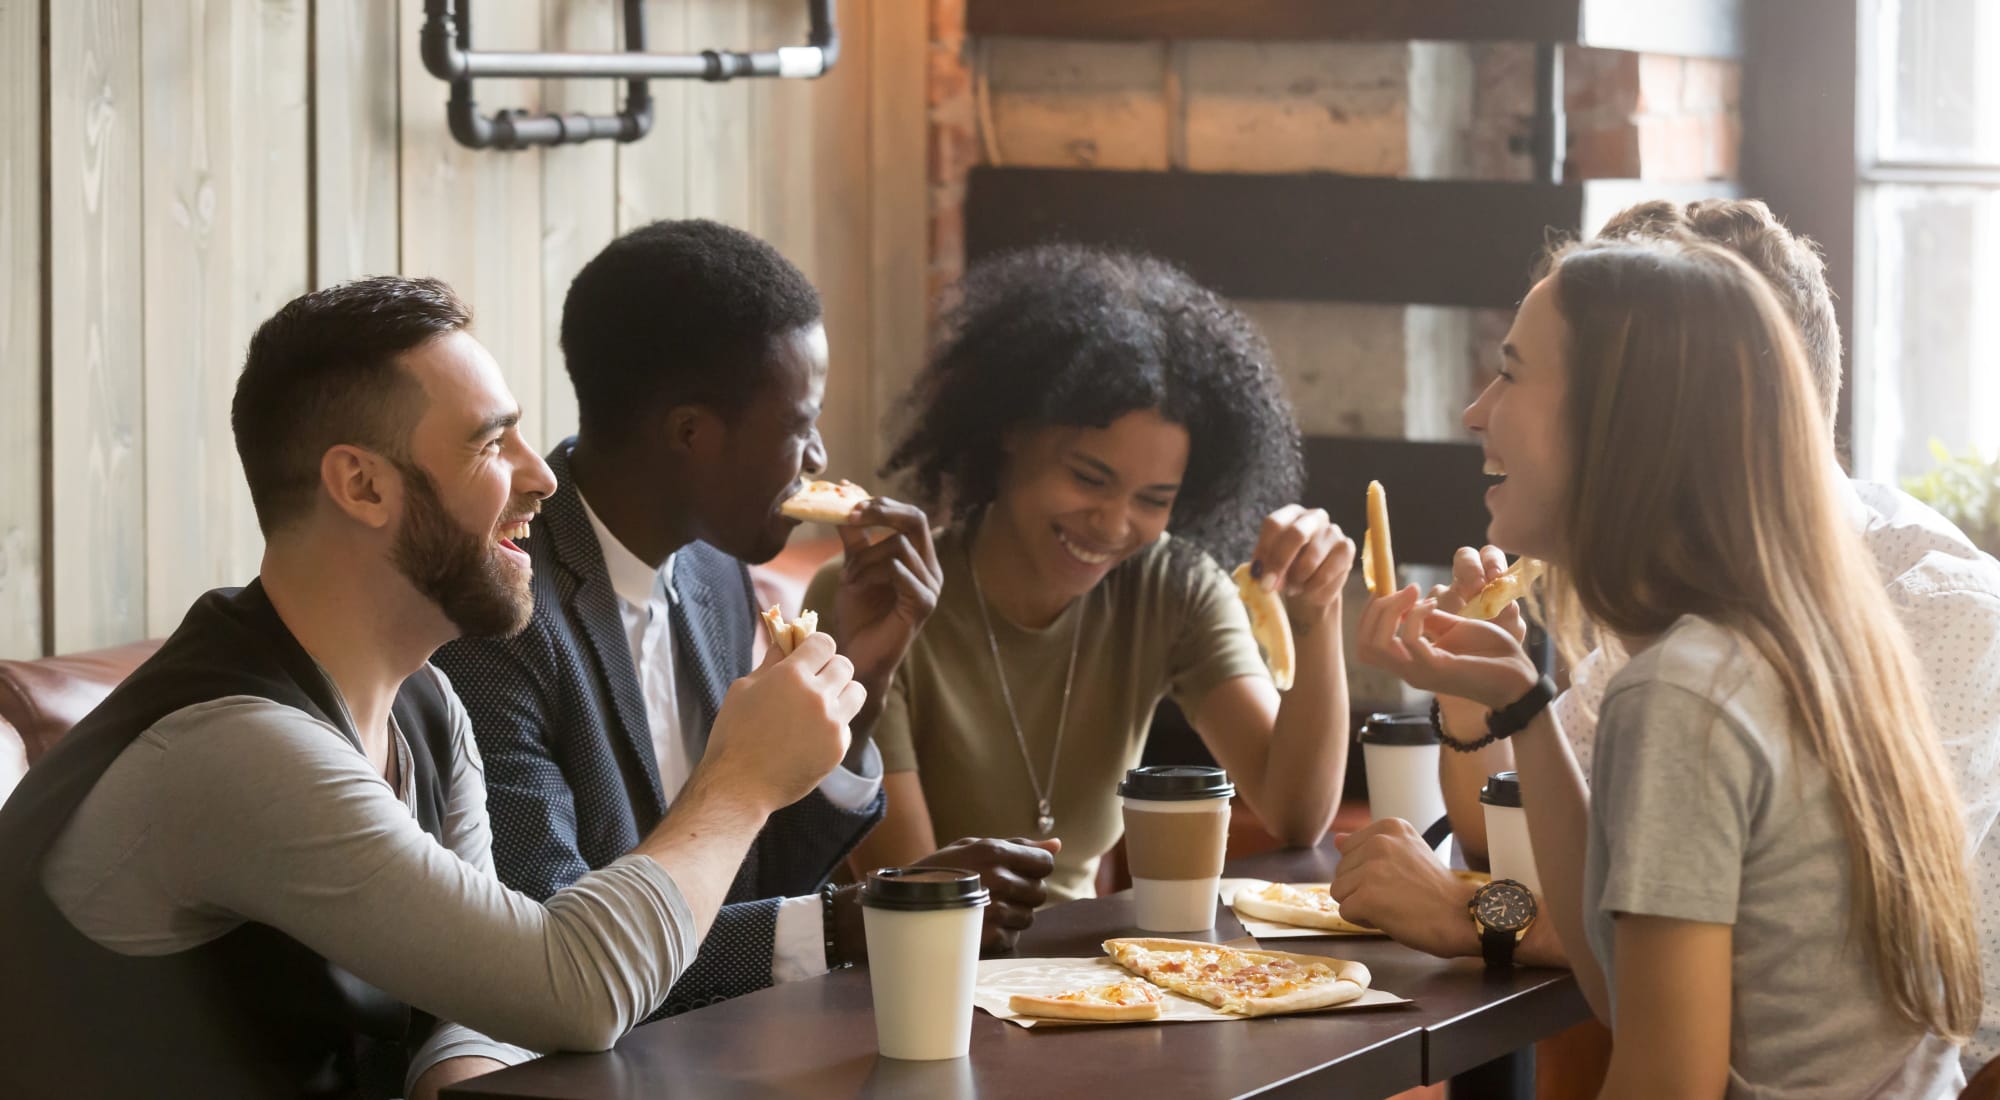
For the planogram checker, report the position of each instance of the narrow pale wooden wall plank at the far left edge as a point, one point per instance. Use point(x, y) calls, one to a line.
point(21, 329)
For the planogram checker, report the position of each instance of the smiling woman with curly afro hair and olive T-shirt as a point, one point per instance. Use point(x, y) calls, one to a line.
point(1099, 433)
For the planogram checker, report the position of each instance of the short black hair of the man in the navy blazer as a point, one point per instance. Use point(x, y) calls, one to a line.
point(677, 313)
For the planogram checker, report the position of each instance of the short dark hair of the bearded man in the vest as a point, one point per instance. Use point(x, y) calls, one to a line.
point(323, 373)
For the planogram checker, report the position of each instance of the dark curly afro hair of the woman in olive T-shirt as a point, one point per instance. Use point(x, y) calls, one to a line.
point(1081, 337)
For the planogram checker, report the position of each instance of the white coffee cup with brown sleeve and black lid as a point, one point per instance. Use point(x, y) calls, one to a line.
point(1177, 835)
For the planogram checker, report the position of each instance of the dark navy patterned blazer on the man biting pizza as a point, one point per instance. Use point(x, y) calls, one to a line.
point(571, 773)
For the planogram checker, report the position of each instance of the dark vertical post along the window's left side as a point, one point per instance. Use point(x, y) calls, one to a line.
point(1801, 103)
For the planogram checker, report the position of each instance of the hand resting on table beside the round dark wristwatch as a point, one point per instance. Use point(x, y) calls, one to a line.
point(1393, 881)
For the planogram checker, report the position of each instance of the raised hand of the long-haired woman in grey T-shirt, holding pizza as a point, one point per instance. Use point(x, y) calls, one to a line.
point(1441, 653)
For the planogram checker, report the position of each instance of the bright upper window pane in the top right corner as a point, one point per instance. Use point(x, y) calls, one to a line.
point(1935, 99)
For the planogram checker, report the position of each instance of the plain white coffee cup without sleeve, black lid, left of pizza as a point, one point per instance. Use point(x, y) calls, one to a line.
point(923, 931)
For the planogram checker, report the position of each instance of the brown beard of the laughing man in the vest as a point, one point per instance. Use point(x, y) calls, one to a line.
point(455, 569)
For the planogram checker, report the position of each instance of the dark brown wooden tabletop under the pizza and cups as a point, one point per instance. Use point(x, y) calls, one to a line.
point(817, 1039)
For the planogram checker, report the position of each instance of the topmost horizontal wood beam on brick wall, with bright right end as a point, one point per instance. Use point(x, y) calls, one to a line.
point(1663, 27)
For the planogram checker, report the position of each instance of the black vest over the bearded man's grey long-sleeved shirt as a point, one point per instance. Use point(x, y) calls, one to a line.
point(249, 1015)
